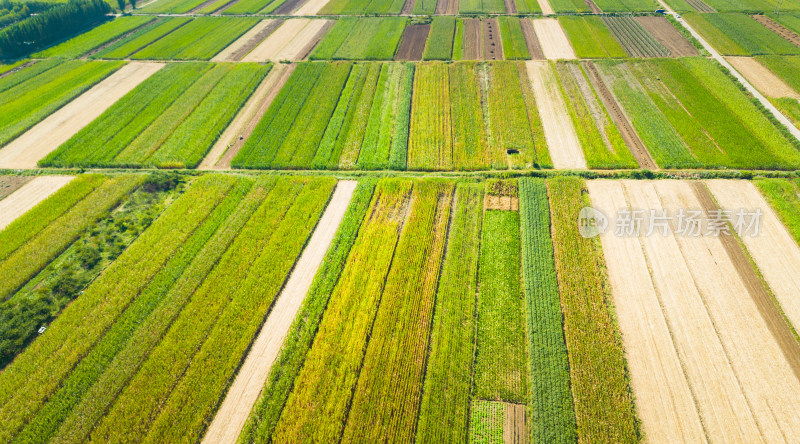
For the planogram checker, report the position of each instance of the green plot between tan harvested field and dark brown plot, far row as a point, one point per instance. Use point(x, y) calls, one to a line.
point(368, 38)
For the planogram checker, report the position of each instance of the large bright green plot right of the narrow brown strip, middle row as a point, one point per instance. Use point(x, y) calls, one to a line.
point(689, 114)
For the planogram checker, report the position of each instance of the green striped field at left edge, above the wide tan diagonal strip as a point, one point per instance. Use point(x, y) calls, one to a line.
point(30, 101)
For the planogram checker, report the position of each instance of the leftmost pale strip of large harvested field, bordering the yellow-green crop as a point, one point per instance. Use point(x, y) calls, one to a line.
point(664, 400)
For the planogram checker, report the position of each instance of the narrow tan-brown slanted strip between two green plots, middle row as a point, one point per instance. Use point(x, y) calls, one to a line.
point(229, 143)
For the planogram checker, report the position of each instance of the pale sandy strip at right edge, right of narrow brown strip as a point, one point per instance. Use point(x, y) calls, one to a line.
point(774, 251)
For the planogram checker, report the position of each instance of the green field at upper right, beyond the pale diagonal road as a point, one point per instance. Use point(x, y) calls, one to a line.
point(739, 34)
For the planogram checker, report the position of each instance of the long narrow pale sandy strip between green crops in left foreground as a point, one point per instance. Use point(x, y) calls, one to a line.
point(252, 376)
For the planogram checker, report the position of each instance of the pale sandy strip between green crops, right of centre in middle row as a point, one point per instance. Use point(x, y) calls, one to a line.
point(562, 141)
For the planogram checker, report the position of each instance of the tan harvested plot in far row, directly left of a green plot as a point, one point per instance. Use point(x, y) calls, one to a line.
point(293, 40)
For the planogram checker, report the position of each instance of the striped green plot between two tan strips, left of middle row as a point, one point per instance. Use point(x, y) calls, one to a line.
point(172, 119)
